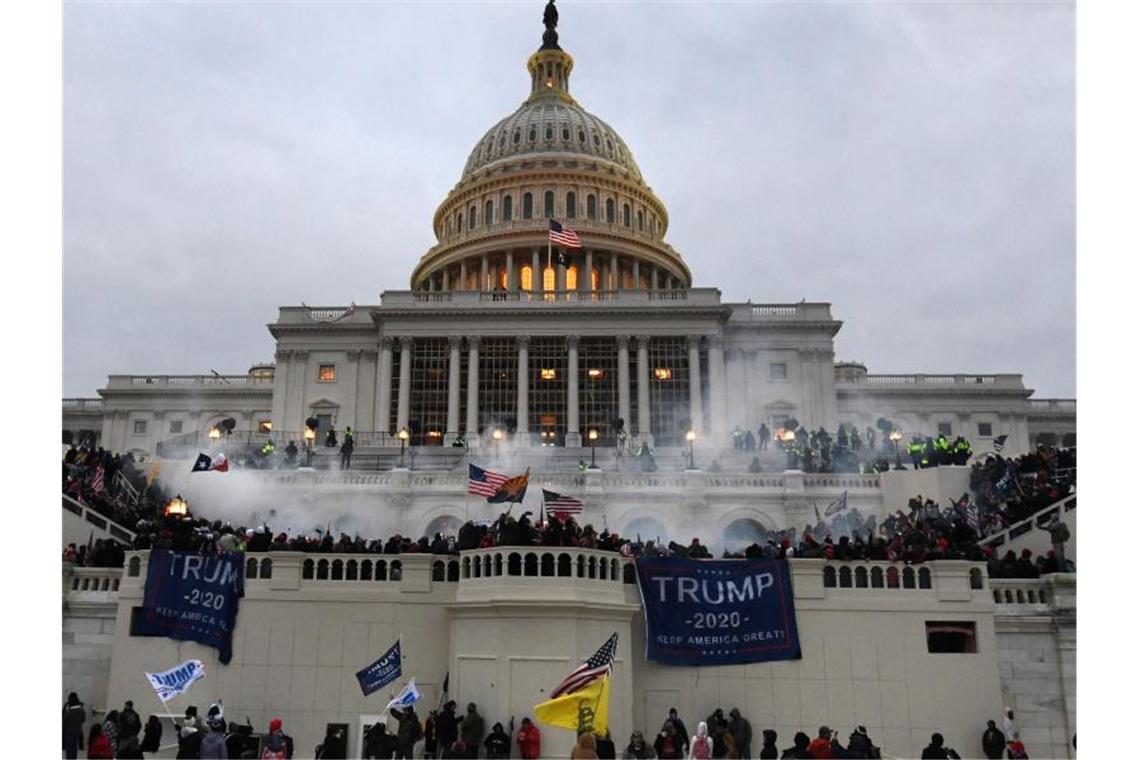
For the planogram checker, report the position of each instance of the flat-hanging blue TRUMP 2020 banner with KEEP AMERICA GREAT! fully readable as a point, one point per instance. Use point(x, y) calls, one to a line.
point(702, 612)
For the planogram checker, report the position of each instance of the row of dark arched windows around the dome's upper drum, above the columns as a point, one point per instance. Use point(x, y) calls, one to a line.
point(609, 213)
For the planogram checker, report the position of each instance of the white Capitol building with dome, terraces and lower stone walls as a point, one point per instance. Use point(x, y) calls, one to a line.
point(532, 361)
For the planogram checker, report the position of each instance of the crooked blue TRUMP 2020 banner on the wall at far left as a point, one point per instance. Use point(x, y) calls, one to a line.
point(193, 598)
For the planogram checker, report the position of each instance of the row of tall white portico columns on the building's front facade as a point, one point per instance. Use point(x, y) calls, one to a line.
point(574, 435)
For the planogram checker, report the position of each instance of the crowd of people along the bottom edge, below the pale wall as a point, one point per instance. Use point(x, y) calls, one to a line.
point(446, 733)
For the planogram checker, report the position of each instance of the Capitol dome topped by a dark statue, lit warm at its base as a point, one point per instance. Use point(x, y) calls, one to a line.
point(551, 160)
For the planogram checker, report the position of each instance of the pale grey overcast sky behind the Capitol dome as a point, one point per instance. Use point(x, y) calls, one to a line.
point(914, 165)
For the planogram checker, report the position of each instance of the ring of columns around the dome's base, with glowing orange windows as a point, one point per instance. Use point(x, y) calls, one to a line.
point(609, 269)
